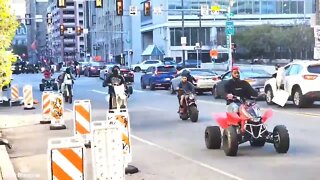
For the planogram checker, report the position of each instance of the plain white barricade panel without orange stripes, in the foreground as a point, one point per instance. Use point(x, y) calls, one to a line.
point(107, 154)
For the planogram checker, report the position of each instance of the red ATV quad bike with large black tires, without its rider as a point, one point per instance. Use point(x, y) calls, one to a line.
point(246, 125)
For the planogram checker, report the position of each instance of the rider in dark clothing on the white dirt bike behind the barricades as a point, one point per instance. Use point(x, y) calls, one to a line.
point(114, 78)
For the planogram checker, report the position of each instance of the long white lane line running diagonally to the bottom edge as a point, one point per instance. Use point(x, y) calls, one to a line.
point(187, 158)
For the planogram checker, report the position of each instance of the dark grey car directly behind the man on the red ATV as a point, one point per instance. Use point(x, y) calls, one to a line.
point(256, 78)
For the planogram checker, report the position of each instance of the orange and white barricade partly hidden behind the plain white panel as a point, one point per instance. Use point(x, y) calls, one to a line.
point(122, 119)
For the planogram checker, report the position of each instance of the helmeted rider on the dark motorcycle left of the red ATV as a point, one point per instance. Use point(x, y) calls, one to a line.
point(186, 86)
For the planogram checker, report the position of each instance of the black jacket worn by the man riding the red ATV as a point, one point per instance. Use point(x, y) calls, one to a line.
point(239, 88)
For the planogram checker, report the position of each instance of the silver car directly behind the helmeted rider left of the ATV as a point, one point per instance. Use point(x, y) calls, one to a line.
point(205, 79)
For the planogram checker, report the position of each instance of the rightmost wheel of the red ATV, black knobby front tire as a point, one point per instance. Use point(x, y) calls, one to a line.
point(281, 139)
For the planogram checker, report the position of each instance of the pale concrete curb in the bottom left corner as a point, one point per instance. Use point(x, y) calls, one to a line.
point(6, 167)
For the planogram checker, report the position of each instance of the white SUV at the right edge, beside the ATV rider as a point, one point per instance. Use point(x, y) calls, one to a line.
point(301, 82)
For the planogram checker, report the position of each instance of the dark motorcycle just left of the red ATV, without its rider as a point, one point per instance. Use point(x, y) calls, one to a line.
point(189, 107)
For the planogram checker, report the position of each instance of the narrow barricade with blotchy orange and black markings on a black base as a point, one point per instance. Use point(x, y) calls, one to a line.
point(57, 112)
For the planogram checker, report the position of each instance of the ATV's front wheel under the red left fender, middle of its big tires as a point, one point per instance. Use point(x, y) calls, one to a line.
point(230, 141)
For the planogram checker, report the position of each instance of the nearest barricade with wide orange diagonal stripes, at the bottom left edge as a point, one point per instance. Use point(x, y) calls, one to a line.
point(66, 159)
